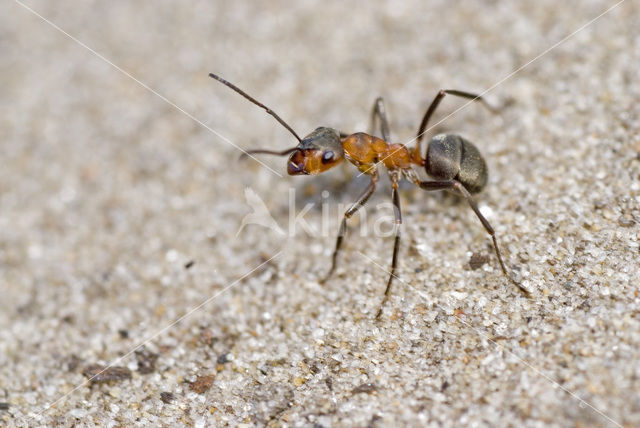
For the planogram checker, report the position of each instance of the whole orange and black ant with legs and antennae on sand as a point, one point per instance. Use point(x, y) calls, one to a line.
point(454, 162)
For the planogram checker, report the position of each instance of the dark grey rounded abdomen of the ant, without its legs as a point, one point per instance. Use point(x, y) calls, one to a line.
point(451, 157)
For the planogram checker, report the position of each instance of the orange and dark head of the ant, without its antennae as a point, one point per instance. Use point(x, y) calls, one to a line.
point(316, 153)
